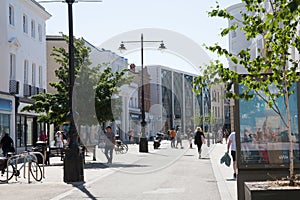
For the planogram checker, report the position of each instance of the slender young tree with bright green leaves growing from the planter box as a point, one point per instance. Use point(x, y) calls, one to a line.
point(271, 74)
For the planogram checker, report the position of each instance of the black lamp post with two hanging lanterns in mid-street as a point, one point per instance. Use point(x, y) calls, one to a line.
point(143, 145)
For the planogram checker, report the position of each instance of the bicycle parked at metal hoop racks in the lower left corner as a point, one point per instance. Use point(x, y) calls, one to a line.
point(26, 160)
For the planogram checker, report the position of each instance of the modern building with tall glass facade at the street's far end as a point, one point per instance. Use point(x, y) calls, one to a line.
point(171, 92)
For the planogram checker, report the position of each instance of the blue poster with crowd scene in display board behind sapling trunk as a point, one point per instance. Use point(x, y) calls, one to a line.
point(263, 134)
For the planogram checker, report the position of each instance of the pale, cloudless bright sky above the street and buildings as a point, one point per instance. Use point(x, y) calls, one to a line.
point(99, 22)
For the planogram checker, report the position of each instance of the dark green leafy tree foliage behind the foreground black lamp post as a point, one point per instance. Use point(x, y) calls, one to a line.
point(53, 108)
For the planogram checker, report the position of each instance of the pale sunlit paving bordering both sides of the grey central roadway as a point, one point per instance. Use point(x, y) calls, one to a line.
point(53, 187)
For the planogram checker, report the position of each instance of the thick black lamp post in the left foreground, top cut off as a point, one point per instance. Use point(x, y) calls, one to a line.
point(73, 161)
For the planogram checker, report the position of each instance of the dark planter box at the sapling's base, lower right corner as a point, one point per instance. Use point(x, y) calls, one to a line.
point(269, 190)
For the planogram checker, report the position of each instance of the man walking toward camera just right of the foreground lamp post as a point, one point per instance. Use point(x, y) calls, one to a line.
point(110, 141)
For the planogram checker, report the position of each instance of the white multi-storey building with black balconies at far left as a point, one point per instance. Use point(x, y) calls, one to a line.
point(23, 67)
